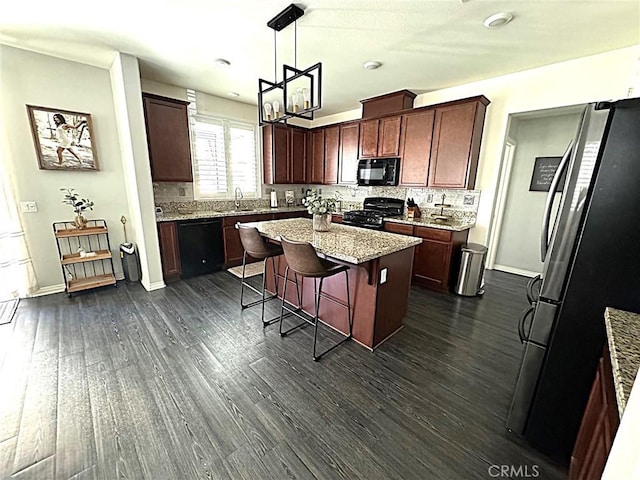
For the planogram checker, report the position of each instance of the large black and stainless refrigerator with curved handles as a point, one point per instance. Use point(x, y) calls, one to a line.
point(590, 262)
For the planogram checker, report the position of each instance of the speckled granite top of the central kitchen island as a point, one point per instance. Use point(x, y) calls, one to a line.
point(349, 244)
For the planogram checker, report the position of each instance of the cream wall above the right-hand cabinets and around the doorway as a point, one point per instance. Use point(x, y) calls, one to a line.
point(599, 77)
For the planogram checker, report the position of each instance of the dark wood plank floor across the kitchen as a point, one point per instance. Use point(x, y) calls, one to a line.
point(182, 384)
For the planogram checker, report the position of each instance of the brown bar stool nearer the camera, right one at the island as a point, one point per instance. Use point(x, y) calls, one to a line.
point(303, 259)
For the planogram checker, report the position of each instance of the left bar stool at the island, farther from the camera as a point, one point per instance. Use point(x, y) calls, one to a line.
point(255, 246)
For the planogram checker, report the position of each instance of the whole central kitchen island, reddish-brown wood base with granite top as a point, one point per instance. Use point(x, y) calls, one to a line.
point(379, 276)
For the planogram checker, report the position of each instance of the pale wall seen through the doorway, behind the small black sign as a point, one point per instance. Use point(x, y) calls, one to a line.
point(519, 244)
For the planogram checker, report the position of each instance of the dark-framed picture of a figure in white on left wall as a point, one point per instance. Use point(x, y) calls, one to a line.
point(63, 139)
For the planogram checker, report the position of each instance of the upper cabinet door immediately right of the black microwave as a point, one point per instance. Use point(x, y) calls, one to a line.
point(417, 129)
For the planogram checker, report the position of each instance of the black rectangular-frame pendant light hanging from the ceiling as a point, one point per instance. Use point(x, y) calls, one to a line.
point(299, 92)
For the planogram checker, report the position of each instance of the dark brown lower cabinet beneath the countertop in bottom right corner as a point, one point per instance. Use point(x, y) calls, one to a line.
point(599, 425)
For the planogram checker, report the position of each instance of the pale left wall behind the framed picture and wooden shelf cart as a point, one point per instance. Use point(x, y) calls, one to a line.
point(35, 79)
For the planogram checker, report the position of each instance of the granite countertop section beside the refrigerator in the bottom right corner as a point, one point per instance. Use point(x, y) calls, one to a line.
point(623, 335)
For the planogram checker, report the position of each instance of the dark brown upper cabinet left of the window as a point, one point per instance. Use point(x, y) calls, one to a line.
point(168, 138)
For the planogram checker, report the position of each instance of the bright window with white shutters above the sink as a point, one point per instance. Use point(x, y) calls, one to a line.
point(224, 158)
